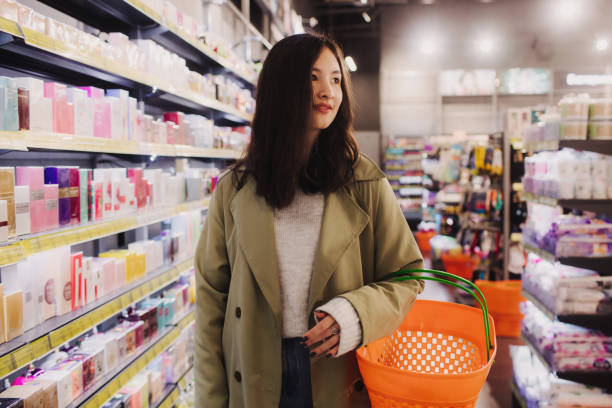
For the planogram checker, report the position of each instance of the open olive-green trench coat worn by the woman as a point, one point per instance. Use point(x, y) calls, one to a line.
point(238, 316)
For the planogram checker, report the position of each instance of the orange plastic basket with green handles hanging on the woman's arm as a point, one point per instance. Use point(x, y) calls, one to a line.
point(439, 357)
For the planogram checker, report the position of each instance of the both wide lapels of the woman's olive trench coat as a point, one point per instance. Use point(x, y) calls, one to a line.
point(343, 221)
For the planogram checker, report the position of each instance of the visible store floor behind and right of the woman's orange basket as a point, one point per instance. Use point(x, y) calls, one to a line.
point(496, 392)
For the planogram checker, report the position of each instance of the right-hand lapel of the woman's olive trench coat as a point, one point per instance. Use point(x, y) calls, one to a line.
point(343, 222)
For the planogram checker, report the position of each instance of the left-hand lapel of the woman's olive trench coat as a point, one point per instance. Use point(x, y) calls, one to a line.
point(255, 222)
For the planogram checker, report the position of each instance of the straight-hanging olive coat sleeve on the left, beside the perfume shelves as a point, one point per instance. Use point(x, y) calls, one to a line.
point(212, 285)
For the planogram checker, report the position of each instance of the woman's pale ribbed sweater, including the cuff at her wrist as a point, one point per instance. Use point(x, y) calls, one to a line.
point(296, 230)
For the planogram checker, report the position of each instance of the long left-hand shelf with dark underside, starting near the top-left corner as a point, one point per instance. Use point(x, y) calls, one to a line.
point(36, 52)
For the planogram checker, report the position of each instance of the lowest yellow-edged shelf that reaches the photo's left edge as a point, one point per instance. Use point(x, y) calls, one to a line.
point(52, 333)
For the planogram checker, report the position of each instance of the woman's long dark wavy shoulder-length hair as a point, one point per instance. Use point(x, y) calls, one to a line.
point(278, 157)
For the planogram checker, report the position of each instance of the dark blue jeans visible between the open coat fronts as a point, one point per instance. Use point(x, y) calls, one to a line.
point(296, 390)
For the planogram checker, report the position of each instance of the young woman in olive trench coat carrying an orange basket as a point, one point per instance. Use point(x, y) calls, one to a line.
point(297, 237)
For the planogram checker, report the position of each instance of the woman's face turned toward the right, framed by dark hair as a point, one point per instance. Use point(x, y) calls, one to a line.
point(327, 90)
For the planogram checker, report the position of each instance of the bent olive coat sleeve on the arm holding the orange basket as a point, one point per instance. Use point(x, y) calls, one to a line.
point(382, 306)
